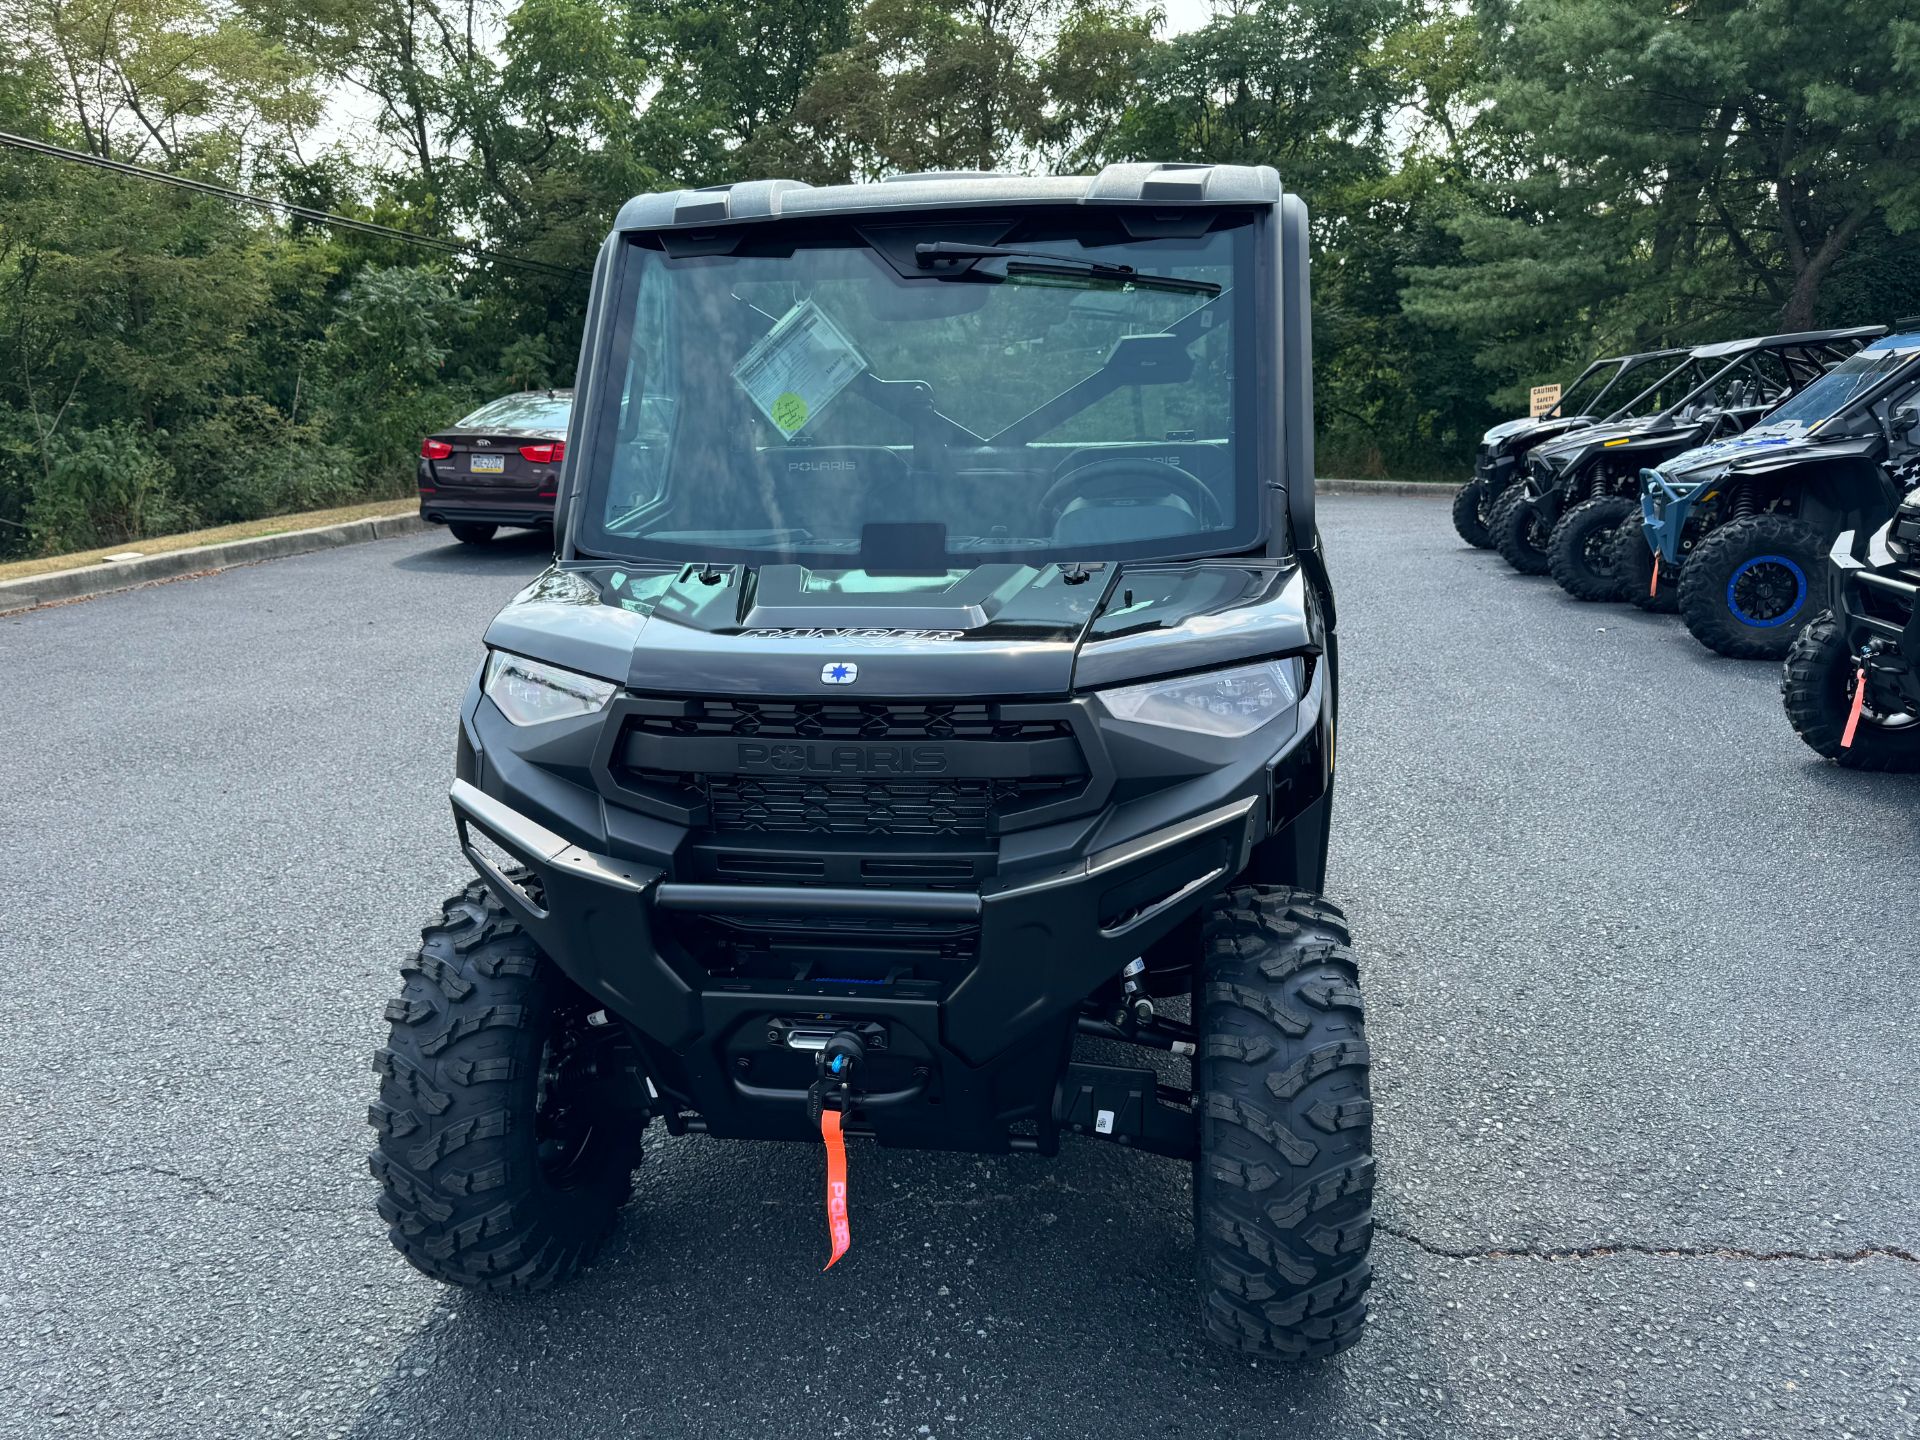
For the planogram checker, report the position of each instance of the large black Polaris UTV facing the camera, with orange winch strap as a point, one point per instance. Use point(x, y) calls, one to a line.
point(938, 667)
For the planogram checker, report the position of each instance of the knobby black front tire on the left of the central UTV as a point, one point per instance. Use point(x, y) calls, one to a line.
point(464, 1191)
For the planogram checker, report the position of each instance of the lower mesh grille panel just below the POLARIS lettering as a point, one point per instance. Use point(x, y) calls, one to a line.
point(798, 805)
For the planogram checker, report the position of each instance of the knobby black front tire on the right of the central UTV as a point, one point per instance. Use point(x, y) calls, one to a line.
point(1284, 1191)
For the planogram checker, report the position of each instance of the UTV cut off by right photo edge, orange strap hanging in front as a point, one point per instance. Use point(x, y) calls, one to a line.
point(1852, 683)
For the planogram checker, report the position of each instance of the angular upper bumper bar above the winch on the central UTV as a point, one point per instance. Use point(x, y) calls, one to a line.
point(1045, 942)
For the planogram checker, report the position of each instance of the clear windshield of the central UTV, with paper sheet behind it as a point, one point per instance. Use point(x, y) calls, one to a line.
point(928, 393)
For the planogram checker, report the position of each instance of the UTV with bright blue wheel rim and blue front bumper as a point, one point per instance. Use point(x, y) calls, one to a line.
point(1739, 531)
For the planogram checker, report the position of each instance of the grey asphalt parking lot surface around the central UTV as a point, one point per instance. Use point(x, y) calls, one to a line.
point(1643, 986)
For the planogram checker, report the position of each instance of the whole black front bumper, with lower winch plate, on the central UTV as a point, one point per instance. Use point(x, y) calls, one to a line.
point(959, 1067)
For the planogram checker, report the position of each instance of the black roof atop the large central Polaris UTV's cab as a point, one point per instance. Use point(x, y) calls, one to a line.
point(1116, 185)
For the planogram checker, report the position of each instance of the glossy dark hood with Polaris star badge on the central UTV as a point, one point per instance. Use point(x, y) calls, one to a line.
point(994, 631)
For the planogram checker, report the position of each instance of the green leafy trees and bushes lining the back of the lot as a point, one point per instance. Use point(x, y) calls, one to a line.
point(1499, 191)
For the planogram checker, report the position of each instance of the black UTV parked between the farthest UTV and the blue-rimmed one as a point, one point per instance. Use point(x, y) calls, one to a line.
point(1585, 487)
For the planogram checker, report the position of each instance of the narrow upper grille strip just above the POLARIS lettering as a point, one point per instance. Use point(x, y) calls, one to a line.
point(830, 721)
